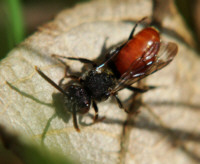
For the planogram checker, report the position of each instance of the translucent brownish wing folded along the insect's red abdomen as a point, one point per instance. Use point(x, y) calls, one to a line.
point(167, 51)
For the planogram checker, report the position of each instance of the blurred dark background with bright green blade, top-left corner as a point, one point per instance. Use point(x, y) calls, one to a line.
point(20, 18)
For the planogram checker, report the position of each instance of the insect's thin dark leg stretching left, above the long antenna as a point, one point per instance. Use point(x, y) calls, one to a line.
point(82, 60)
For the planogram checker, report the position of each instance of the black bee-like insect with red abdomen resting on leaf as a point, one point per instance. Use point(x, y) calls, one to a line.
point(141, 55)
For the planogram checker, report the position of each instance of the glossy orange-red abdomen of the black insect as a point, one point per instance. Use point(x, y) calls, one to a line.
point(135, 48)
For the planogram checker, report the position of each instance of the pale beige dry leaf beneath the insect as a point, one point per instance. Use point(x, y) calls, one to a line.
point(166, 130)
